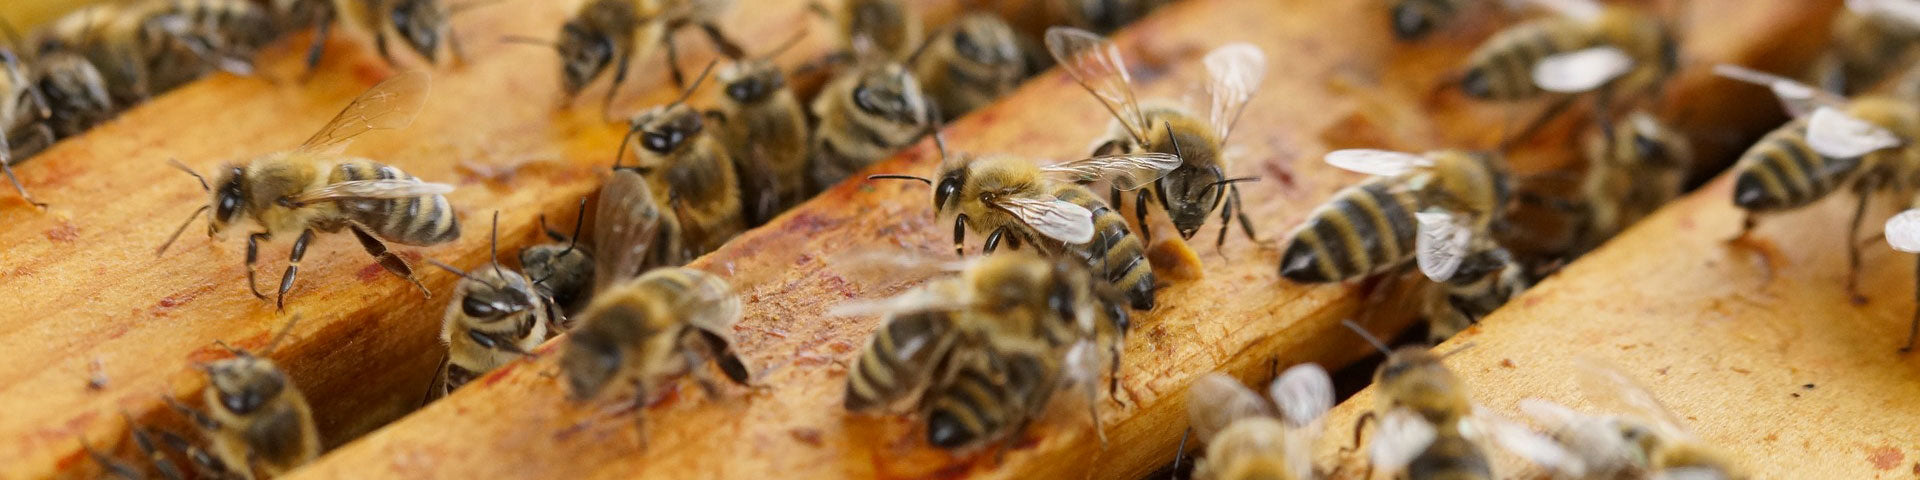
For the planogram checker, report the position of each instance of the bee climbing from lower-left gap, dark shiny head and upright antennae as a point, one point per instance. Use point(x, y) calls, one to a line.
point(496, 316)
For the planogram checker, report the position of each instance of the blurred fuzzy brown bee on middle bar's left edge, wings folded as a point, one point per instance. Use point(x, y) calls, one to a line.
point(654, 329)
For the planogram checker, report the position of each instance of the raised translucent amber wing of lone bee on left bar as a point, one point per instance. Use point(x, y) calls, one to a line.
point(389, 105)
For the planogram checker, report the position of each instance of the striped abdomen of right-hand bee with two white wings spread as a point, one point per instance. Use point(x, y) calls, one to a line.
point(1364, 229)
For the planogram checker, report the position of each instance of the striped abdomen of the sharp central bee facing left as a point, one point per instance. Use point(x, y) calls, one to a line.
point(1115, 252)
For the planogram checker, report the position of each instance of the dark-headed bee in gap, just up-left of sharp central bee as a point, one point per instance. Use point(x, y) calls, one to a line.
point(865, 116)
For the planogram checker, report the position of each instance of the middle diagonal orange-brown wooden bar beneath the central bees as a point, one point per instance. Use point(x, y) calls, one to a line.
point(1330, 87)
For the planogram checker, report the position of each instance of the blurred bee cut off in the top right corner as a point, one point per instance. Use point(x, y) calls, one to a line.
point(1871, 39)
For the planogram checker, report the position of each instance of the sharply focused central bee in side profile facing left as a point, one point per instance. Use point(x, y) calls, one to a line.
point(1019, 201)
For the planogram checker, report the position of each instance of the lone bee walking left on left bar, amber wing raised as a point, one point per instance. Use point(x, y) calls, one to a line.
point(314, 187)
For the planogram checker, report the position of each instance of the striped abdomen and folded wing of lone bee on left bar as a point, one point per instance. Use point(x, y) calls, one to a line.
point(416, 220)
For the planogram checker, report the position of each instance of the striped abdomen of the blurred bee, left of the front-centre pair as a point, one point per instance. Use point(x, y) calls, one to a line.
point(900, 360)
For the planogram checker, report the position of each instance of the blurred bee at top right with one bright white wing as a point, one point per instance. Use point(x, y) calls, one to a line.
point(1583, 49)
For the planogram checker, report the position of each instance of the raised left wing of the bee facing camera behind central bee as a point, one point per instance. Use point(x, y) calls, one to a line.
point(1099, 68)
